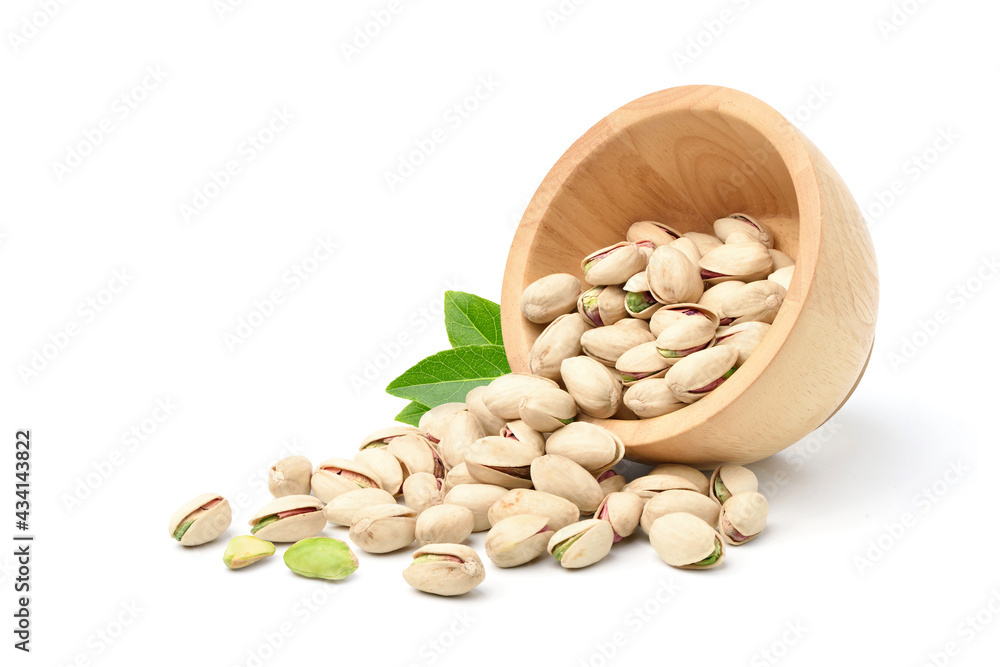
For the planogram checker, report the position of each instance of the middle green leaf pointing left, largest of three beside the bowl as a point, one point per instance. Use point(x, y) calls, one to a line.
point(448, 376)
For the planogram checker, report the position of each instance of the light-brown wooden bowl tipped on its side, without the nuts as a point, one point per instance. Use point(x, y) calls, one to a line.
point(687, 156)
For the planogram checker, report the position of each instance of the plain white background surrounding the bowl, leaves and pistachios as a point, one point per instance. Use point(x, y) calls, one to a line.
point(109, 586)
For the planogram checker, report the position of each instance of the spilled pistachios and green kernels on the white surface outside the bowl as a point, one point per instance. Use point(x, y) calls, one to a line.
point(512, 460)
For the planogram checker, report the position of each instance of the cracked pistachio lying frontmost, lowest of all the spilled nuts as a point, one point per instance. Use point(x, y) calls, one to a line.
point(445, 569)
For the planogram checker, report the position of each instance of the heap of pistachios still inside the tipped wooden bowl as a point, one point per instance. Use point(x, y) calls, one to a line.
point(669, 316)
